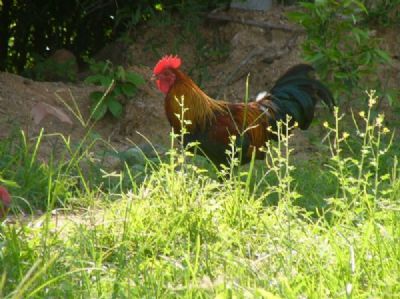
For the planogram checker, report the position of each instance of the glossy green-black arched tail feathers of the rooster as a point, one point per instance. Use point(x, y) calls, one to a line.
point(296, 93)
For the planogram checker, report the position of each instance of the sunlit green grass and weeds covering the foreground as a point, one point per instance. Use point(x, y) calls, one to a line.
point(275, 229)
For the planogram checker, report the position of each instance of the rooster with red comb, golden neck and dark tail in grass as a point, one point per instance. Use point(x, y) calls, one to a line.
point(211, 123)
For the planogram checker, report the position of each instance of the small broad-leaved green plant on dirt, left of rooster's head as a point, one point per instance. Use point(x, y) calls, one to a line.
point(117, 83)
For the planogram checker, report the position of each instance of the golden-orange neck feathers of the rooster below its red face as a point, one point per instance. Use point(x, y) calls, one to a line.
point(200, 109)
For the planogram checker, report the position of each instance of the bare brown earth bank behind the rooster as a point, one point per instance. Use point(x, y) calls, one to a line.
point(264, 54)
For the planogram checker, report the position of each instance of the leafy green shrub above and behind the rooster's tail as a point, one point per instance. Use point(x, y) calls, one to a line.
point(342, 51)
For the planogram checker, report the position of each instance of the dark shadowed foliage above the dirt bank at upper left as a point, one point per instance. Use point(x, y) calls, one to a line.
point(32, 29)
